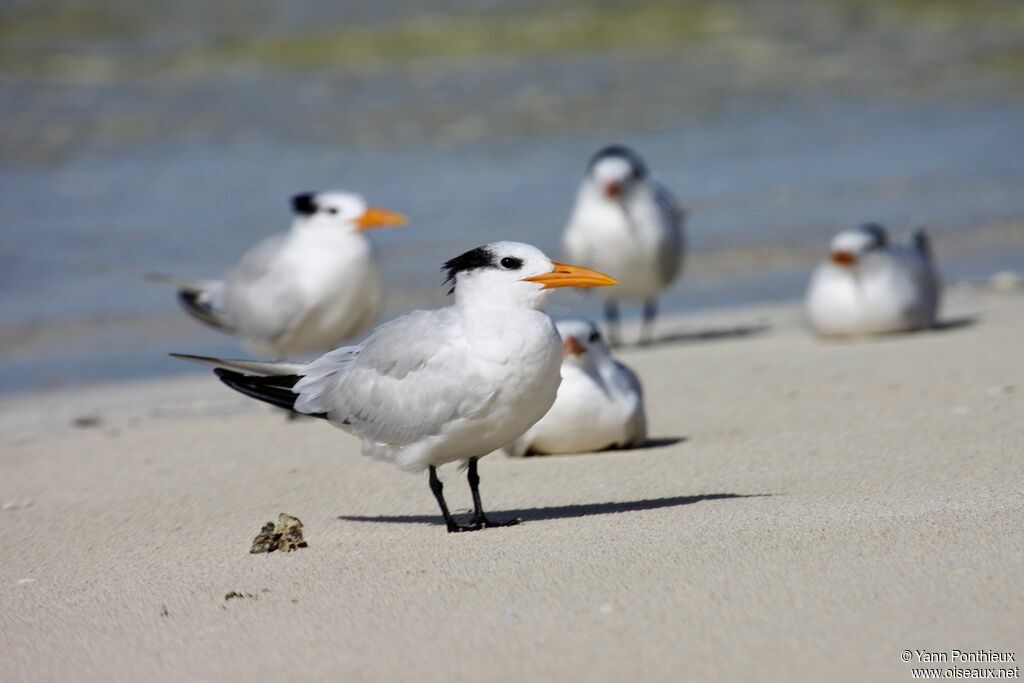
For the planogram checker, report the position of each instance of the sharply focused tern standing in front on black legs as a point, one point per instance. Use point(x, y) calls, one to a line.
point(436, 387)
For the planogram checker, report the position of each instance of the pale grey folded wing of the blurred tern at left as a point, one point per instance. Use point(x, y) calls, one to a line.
point(262, 297)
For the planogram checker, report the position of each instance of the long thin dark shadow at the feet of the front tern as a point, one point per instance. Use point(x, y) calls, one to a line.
point(563, 511)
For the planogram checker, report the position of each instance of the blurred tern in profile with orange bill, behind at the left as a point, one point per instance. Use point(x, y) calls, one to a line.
point(305, 291)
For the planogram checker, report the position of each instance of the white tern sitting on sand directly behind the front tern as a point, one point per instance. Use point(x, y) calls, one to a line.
point(600, 404)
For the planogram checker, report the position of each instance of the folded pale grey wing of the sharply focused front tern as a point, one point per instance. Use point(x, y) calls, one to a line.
point(406, 382)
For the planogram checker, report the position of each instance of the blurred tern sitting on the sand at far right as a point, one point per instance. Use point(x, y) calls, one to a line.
point(870, 286)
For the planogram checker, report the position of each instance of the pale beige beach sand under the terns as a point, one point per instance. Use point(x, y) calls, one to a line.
point(806, 511)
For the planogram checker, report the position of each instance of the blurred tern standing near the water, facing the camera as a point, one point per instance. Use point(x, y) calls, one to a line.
point(629, 226)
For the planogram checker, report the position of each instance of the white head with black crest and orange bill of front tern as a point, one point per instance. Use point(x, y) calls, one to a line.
point(513, 275)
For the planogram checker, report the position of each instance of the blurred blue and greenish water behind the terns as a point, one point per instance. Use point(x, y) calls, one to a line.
point(142, 136)
